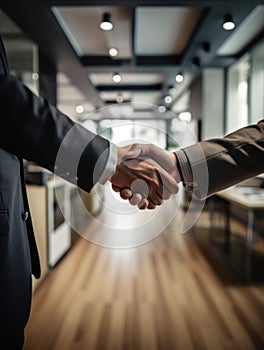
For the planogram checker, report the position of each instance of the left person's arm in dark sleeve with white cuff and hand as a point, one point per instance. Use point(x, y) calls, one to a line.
point(33, 129)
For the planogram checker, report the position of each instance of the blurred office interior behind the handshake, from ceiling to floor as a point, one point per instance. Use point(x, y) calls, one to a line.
point(162, 65)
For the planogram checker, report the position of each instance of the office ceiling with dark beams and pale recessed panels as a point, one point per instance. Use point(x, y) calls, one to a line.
point(156, 40)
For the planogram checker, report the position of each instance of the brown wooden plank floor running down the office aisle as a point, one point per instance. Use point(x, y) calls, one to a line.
point(172, 293)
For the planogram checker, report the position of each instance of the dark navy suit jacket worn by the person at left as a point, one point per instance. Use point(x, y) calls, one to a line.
point(32, 129)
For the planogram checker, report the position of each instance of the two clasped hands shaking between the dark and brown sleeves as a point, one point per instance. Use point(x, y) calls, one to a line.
point(145, 175)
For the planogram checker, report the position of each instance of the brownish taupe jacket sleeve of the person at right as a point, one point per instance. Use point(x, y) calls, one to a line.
point(228, 160)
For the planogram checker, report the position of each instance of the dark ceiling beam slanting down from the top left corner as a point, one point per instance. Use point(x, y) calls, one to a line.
point(38, 23)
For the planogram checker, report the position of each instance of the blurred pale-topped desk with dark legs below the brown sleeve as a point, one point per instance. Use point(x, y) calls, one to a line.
point(244, 253)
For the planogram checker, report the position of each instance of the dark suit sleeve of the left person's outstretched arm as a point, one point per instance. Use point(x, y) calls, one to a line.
point(33, 129)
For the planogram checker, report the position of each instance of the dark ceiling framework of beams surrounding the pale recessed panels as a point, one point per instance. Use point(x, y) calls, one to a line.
point(38, 23)
